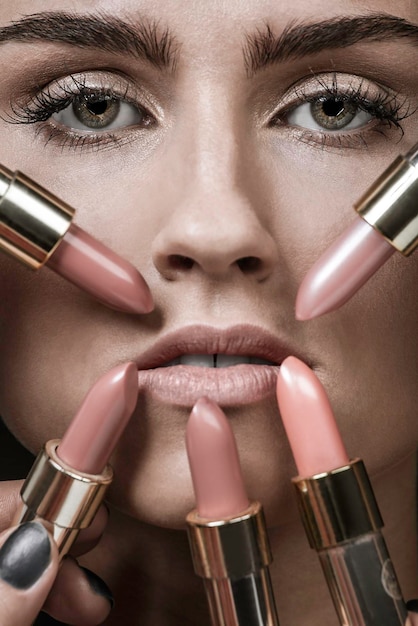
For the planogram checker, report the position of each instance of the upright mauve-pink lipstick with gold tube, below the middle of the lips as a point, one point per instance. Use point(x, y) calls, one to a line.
point(227, 532)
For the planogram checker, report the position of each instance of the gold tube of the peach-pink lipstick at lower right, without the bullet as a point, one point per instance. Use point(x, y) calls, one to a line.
point(343, 524)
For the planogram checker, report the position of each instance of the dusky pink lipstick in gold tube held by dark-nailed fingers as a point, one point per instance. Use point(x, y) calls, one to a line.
point(69, 478)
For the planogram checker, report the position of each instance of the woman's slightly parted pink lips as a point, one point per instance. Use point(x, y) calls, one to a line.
point(233, 366)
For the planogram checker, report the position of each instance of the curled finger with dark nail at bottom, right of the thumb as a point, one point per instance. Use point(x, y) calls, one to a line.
point(79, 596)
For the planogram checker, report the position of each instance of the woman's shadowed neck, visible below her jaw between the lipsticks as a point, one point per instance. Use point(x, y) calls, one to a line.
point(150, 573)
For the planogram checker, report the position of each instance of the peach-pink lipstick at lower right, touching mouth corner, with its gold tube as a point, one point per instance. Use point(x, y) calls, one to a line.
point(337, 506)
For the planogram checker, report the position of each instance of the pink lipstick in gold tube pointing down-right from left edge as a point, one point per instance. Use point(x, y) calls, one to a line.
point(36, 228)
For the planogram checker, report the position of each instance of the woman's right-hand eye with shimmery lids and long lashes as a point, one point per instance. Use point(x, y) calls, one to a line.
point(341, 110)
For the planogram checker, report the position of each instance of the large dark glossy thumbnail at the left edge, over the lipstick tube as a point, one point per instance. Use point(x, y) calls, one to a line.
point(25, 555)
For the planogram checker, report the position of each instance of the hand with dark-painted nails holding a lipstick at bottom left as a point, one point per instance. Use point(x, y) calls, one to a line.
point(31, 578)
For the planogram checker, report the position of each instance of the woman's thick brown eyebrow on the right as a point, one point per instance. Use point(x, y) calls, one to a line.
point(298, 40)
